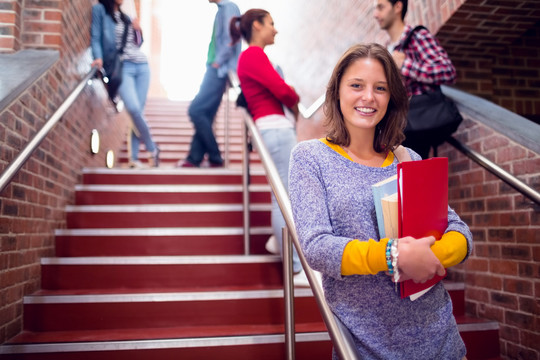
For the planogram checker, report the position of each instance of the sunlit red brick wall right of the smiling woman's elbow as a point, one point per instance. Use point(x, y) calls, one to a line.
point(502, 275)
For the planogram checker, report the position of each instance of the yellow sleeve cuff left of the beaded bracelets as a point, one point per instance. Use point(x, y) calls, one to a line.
point(364, 257)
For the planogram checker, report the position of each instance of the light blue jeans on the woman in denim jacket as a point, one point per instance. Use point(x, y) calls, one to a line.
point(133, 91)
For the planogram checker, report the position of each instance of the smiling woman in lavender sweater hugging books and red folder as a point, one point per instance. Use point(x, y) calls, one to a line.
point(334, 213)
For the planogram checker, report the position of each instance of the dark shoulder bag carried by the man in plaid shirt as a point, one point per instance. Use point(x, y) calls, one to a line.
point(433, 114)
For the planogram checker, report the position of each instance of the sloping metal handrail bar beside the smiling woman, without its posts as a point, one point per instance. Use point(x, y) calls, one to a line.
point(339, 334)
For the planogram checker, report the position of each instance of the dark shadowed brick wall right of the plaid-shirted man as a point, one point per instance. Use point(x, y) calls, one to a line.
point(497, 54)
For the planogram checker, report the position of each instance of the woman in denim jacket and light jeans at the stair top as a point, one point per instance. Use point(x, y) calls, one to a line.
point(108, 22)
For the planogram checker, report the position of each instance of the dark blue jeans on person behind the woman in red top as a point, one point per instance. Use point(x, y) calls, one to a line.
point(202, 112)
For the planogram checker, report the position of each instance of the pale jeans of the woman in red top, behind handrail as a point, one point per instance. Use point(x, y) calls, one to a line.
point(280, 143)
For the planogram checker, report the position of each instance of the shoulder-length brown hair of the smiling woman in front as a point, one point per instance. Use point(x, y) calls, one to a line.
point(389, 131)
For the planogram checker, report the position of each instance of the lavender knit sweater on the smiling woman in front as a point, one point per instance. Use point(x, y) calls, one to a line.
point(332, 203)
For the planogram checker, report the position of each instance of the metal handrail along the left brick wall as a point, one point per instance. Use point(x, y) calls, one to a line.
point(24, 155)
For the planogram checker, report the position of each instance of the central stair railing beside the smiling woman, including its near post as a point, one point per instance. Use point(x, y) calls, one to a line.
point(339, 334)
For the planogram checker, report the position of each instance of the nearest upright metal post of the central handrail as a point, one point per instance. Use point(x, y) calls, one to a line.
point(288, 290)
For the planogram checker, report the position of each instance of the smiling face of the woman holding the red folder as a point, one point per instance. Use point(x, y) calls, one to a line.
point(363, 94)
